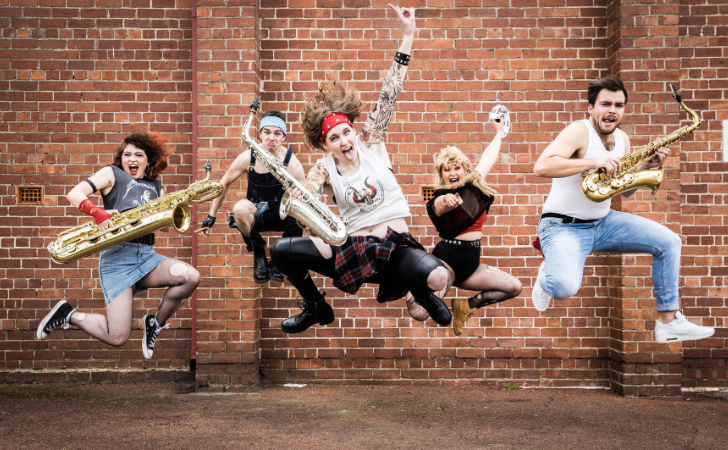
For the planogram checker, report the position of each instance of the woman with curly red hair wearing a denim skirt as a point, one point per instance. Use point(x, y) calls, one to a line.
point(133, 266)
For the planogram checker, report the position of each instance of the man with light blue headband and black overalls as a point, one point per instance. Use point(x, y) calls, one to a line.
point(258, 212)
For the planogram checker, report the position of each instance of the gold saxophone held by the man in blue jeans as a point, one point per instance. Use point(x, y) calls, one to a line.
point(597, 186)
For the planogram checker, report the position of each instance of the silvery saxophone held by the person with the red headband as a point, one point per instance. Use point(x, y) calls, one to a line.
point(310, 212)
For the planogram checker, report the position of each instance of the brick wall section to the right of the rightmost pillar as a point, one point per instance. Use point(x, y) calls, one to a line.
point(703, 51)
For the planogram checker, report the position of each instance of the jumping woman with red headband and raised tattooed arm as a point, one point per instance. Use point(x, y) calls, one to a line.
point(360, 179)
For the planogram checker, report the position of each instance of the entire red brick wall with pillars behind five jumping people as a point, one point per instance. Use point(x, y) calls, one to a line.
point(534, 57)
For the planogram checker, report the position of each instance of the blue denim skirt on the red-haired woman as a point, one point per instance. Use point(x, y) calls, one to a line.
point(121, 266)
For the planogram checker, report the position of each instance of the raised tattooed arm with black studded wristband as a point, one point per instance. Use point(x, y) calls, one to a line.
point(378, 121)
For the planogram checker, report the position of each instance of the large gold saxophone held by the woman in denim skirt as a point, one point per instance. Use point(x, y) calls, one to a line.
point(170, 210)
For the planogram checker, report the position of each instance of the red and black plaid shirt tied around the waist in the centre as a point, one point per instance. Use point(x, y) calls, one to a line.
point(362, 257)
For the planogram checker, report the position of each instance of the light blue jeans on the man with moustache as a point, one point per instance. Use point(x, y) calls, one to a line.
point(566, 247)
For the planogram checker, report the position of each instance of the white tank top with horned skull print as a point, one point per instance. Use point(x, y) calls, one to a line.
point(371, 195)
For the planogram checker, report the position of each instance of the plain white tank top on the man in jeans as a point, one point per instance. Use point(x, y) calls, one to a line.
point(566, 196)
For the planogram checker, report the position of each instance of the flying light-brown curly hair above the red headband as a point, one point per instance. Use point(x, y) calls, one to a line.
point(337, 99)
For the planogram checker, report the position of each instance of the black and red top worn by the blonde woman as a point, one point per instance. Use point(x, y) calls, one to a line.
point(465, 217)
